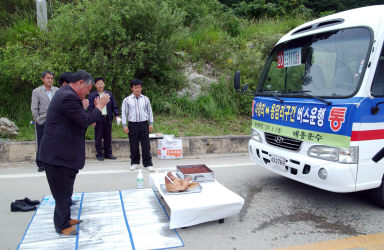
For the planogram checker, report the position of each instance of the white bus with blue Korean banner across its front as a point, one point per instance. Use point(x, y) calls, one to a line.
point(318, 111)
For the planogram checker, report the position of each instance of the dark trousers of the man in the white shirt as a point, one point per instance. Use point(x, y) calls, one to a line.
point(139, 132)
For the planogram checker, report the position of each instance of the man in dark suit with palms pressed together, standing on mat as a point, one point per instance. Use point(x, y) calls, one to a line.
point(63, 144)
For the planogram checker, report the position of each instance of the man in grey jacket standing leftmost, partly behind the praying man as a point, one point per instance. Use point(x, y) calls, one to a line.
point(41, 98)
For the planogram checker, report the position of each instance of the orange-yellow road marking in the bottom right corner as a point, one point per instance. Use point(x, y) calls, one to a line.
point(363, 242)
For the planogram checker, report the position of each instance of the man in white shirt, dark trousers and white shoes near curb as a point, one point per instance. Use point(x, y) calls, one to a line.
point(137, 109)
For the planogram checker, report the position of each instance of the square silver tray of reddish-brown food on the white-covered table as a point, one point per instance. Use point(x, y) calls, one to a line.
point(198, 173)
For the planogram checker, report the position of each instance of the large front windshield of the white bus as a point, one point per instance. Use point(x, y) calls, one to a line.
point(327, 65)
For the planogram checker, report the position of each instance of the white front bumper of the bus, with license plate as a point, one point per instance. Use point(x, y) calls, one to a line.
point(339, 178)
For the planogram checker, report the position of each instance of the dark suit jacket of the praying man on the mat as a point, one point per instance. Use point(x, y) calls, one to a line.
point(63, 141)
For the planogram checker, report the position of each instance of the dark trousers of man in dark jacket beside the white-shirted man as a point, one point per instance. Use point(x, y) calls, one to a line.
point(103, 130)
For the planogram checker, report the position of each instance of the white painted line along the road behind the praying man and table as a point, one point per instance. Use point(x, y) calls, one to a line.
point(97, 172)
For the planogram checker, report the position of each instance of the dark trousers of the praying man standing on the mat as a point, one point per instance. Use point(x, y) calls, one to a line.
point(61, 181)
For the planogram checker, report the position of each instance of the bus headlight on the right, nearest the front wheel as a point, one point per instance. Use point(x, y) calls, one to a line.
point(341, 155)
